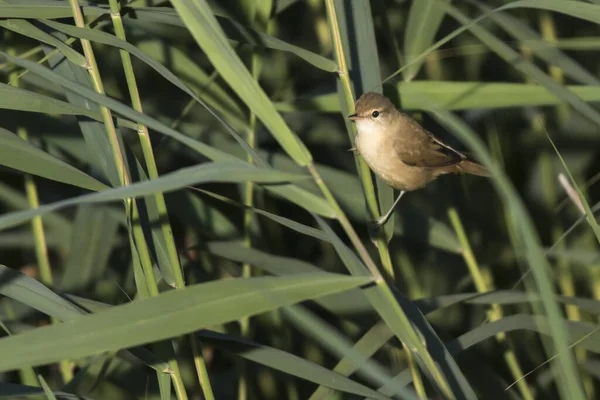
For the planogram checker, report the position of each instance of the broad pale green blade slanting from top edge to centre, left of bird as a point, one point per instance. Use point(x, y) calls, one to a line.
point(202, 24)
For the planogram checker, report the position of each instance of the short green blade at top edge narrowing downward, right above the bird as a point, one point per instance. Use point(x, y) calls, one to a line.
point(423, 22)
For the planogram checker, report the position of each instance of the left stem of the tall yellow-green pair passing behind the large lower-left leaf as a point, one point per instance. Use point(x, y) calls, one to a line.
point(130, 205)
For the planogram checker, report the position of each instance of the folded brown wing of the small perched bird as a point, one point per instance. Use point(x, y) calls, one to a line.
point(425, 150)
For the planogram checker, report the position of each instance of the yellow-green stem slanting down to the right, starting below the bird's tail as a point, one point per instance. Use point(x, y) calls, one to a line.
point(495, 312)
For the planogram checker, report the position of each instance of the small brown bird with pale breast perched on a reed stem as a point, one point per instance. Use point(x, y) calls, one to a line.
point(402, 152)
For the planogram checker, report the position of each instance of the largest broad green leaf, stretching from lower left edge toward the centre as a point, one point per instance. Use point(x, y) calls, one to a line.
point(169, 314)
